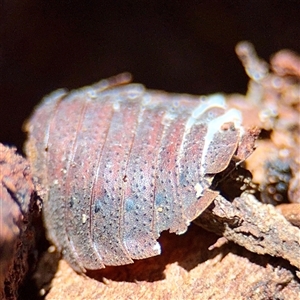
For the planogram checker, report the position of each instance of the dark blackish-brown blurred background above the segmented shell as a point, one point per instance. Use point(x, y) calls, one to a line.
point(179, 46)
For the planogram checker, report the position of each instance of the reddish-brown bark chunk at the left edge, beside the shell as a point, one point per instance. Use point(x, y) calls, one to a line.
point(16, 210)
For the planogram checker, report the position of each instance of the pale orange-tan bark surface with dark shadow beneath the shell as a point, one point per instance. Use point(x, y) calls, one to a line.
point(185, 270)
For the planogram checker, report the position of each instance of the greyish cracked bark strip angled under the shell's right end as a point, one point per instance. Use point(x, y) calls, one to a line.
point(258, 227)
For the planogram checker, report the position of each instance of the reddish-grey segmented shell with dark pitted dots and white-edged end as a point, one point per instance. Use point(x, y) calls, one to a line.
point(120, 165)
